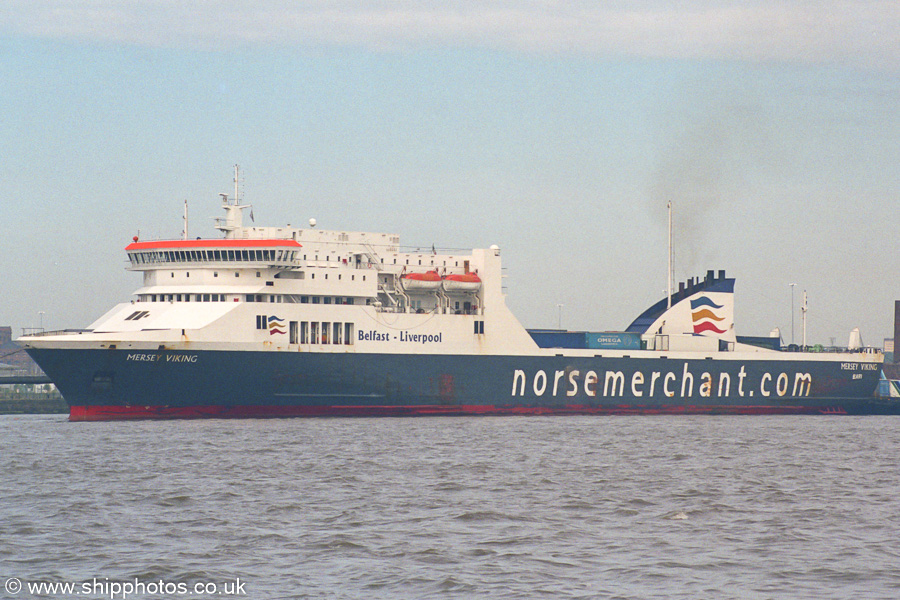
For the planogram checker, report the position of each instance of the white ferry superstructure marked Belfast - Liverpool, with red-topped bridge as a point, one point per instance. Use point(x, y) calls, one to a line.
point(307, 288)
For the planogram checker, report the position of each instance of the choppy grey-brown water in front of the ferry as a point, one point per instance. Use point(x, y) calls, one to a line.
point(513, 507)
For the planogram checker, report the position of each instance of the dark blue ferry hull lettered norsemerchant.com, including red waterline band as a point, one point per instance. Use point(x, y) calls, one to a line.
point(106, 384)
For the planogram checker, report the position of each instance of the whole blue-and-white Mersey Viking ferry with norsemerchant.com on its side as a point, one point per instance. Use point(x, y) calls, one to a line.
point(307, 322)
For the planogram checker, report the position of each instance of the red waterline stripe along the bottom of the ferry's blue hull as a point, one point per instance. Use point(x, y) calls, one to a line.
point(118, 413)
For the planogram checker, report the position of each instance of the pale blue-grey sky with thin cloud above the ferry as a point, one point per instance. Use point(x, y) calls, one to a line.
point(557, 132)
